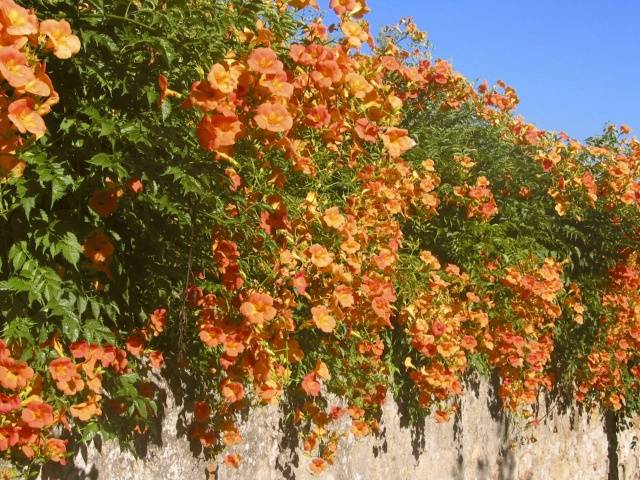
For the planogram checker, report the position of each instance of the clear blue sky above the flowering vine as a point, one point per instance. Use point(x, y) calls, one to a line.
point(574, 63)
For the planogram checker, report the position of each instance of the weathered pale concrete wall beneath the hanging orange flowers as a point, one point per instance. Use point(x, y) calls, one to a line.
point(476, 446)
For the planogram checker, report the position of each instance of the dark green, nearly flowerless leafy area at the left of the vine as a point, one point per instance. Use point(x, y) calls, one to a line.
point(108, 128)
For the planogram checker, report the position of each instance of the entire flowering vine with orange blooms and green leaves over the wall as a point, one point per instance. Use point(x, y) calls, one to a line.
point(290, 214)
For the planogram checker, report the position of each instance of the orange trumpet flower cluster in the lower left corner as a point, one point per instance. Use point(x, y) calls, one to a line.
point(27, 418)
